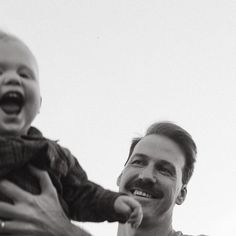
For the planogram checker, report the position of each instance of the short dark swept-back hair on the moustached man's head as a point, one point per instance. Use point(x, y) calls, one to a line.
point(181, 137)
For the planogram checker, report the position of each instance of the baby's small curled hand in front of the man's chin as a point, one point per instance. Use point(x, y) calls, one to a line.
point(130, 207)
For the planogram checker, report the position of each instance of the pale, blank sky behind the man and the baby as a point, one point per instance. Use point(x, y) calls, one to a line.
point(109, 69)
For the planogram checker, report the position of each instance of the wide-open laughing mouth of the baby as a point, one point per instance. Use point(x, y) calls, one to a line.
point(12, 102)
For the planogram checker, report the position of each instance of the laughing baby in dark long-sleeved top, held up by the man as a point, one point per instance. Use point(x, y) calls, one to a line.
point(22, 145)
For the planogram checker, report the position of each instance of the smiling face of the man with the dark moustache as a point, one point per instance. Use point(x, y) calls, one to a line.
point(153, 176)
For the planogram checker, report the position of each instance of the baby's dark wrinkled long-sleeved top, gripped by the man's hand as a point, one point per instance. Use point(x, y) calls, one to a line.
point(81, 199)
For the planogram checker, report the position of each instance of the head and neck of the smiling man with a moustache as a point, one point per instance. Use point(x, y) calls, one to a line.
point(156, 174)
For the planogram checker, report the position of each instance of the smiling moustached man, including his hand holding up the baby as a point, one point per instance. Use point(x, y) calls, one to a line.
point(156, 174)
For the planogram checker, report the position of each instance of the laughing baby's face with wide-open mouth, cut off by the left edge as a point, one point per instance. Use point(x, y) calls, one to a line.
point(19, 88)
